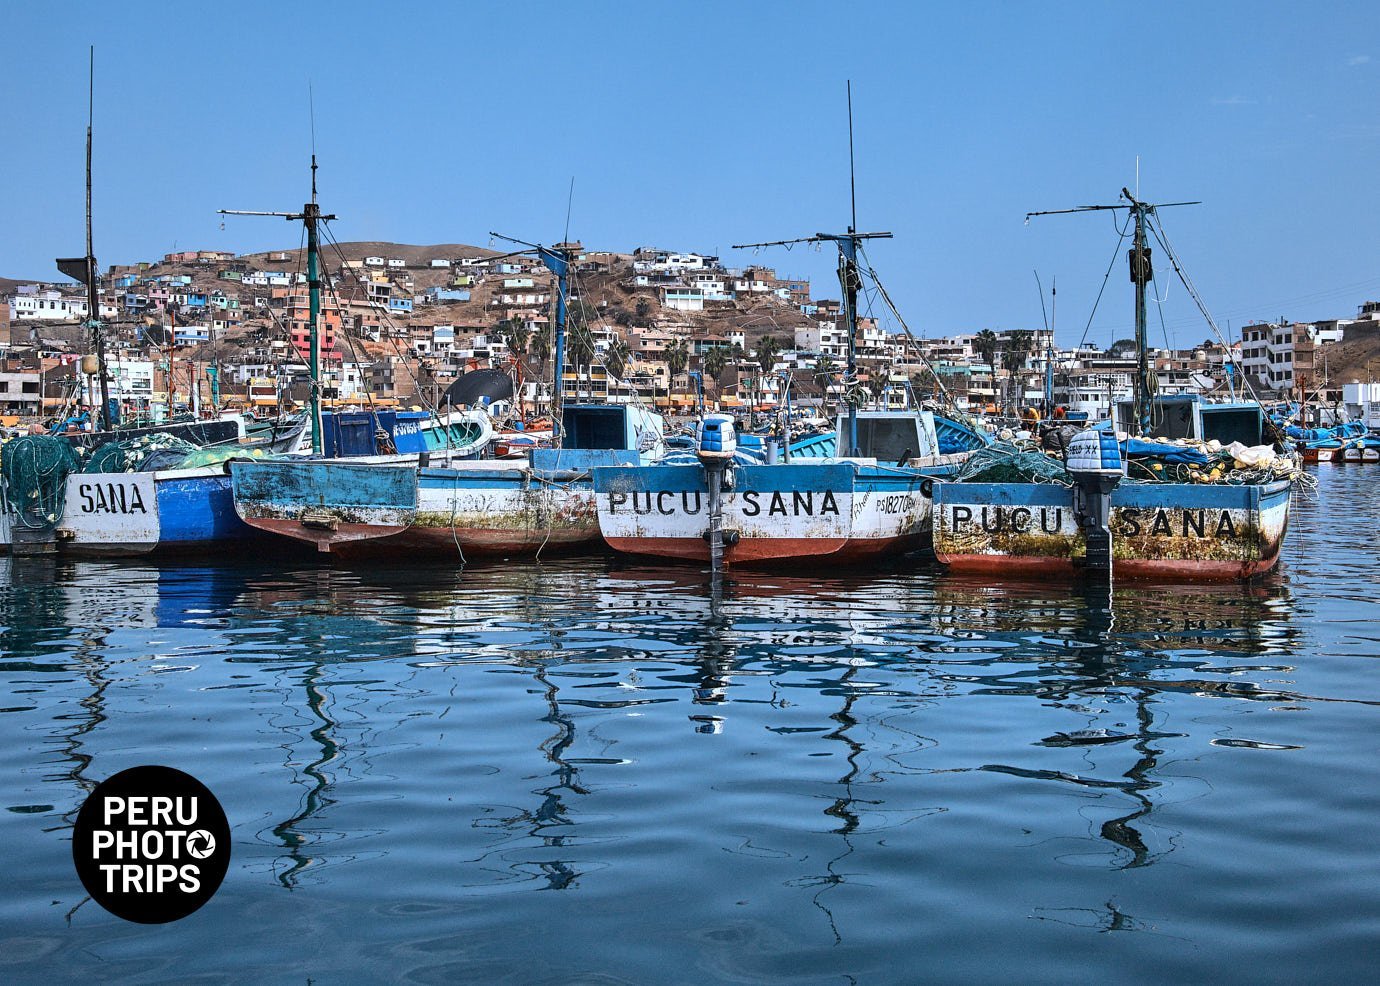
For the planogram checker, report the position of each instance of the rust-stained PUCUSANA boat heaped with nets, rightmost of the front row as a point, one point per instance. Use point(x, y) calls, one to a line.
point(1189, 491)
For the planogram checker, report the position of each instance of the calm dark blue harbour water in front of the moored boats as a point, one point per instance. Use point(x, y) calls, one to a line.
point(583, 771)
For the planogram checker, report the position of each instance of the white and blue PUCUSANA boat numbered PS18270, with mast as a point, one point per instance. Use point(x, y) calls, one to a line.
point(865, 499)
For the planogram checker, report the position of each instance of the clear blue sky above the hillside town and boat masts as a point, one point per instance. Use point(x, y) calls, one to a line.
point(698, 126)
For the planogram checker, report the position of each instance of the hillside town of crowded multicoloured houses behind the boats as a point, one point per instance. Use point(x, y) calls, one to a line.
point(400, 325)
